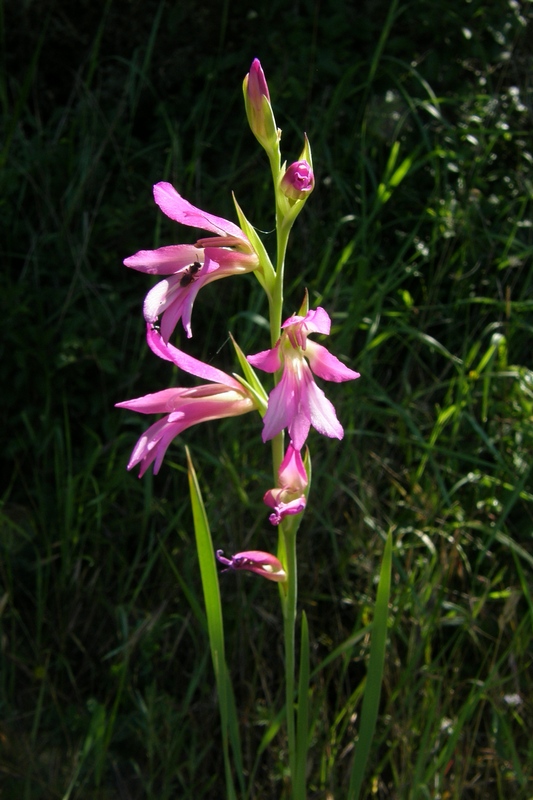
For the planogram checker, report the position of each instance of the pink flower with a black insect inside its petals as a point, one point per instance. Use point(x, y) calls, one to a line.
point(189, 266)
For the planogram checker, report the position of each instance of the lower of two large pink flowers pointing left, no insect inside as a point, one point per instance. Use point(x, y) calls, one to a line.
point(183, 407)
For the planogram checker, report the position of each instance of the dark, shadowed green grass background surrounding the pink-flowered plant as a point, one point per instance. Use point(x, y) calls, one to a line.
point(418, 240)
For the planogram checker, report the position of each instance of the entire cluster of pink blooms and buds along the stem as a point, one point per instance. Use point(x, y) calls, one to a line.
point(296, 403)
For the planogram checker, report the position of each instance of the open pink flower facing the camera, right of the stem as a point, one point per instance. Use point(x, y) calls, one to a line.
point(296, 402)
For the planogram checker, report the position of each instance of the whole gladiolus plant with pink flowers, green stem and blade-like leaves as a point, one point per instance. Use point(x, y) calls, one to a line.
point(289, 405)
